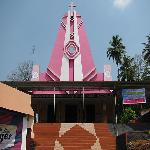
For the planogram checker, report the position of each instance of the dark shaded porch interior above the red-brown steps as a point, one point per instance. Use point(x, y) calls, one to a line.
point(74, 109)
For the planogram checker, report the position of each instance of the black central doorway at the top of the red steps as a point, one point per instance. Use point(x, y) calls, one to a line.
point(70, 113)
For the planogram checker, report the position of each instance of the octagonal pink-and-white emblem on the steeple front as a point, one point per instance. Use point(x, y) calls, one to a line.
point(71, 50)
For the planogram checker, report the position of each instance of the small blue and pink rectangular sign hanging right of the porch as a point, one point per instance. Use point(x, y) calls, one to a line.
point(133, 96)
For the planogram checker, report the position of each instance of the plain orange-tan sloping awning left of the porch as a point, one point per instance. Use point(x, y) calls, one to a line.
point(12, 99)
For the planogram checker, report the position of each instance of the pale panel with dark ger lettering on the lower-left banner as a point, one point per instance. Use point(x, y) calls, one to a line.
point(7, 135)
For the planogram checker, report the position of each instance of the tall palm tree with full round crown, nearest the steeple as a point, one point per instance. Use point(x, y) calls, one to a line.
point(116, 51)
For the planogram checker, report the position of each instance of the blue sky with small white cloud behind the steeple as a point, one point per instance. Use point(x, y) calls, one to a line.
point(24, 23)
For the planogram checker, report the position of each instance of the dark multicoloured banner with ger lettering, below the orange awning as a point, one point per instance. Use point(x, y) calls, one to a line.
point(11, 124)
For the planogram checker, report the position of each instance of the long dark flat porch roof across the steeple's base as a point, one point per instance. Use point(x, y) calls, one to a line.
point(72, 85)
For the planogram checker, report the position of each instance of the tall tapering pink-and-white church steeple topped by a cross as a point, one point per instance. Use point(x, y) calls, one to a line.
point(71, 58)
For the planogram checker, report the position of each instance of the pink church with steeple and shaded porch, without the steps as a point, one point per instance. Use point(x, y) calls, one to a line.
point(71, 60)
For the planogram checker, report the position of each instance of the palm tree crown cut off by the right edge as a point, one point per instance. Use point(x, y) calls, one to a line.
point(146, 50)
